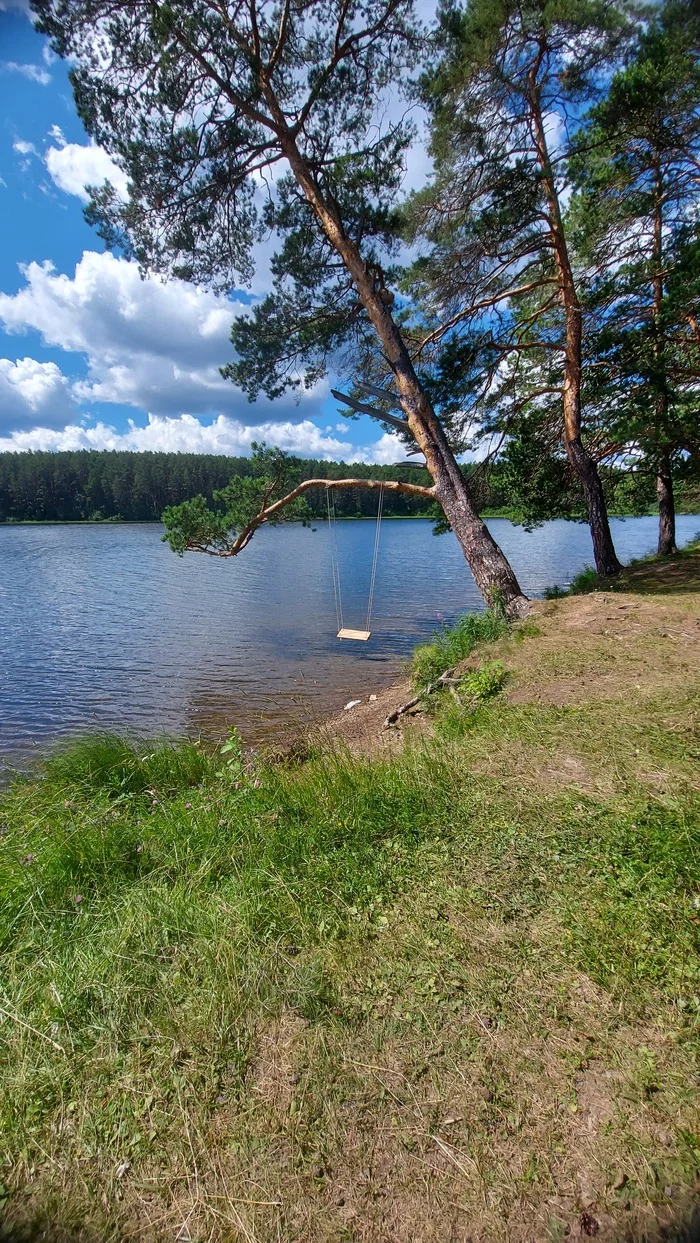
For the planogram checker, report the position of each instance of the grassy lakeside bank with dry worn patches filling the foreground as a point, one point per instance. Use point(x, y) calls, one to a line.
point(452, 995)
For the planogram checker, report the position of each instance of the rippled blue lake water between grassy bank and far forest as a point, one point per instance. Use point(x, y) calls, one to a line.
point(104, 627)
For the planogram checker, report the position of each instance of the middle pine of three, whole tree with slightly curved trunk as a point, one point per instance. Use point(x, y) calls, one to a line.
point(499, 284)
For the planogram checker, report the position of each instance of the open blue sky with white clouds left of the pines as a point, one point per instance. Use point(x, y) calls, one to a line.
point(93, 356)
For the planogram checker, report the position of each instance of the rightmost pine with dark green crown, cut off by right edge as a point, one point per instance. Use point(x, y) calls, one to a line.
point(636, 218)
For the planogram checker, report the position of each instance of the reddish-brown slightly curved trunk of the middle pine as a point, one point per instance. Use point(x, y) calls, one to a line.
point(604, 549)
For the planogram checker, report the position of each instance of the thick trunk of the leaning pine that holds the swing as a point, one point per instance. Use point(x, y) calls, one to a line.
point(493, 572)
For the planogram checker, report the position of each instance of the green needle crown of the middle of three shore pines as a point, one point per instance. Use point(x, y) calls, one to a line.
point(488, 287)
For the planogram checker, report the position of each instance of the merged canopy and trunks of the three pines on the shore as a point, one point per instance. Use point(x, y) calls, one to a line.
point(550, 310)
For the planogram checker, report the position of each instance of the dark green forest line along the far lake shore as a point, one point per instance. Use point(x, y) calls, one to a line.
point(90, 485)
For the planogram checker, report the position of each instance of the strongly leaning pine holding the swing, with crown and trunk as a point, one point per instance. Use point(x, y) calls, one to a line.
point(231, 119)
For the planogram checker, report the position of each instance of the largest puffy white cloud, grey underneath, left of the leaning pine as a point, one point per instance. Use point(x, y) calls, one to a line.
point(150, 345)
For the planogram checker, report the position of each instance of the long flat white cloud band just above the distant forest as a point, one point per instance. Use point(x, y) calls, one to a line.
point(185, 434)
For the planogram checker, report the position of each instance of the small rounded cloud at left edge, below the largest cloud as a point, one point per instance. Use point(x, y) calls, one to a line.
point(32, 392)
